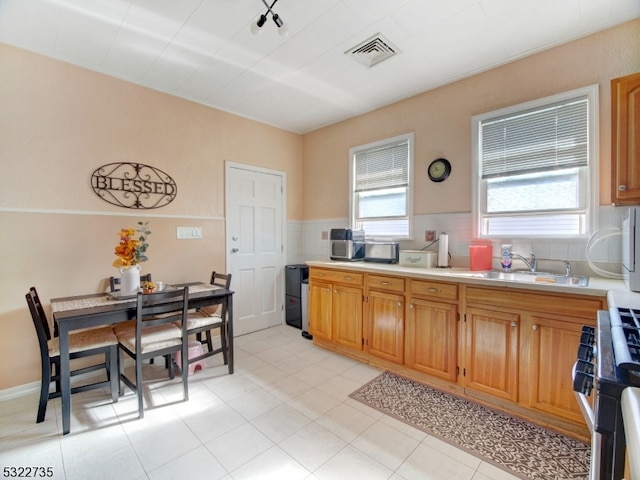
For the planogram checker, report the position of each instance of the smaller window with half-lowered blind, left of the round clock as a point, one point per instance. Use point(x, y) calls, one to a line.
point(380, 176)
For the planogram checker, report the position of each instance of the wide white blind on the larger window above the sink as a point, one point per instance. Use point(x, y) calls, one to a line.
point(553, 137)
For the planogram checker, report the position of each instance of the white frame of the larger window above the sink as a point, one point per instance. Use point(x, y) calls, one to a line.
point(591, 184)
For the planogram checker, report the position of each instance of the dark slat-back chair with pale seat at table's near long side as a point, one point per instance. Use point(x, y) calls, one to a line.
point(155, 334)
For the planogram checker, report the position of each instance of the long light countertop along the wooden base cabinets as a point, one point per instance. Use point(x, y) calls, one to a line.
point(598, 286)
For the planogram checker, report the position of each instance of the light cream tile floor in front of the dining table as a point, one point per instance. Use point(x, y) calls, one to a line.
point(284, 415)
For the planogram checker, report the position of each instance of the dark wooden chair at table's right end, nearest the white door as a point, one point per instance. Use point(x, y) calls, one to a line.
point(208, 319)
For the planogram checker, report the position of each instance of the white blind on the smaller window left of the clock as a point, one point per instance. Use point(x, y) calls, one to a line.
point(385, 167)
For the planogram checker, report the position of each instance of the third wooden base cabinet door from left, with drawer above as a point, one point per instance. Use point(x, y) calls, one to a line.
point(384, 335)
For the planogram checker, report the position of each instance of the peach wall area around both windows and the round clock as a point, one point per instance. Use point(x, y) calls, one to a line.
point(441, 120)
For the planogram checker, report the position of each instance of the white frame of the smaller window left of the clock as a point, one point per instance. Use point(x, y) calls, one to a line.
point(409, 138)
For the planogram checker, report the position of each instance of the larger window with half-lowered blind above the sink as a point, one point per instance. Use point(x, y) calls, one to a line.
point(535, 168)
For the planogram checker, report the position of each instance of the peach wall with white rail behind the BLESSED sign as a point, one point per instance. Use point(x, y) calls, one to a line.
point(58, 123)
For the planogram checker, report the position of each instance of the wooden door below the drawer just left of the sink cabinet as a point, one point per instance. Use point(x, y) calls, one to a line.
point(431, 338)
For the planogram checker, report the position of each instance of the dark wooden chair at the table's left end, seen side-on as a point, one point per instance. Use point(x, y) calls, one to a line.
point(96, 341)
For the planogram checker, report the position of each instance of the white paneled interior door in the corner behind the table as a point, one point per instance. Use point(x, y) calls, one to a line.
point(255, 247)
